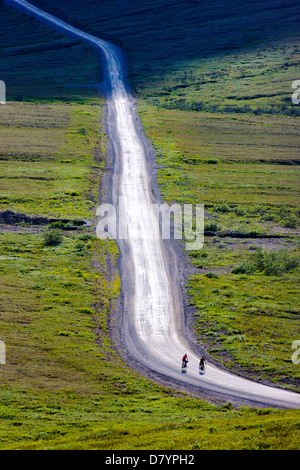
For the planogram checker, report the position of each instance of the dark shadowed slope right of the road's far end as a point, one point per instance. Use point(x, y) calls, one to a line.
point(191, 27)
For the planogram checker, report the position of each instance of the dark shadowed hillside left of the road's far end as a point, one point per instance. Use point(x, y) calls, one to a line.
point(38, 63)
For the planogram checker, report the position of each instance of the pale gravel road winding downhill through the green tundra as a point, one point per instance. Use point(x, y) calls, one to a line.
point(152, 305)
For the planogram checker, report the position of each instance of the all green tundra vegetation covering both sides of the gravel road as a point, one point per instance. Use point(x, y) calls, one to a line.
point(219, 115)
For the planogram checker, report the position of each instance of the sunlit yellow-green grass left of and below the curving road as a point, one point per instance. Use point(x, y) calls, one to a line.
point(64, 386)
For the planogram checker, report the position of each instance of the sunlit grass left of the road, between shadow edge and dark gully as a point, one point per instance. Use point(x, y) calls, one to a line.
point(46, 154)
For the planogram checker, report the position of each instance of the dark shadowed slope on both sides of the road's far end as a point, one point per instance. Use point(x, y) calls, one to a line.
point(159, 37)
